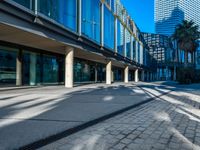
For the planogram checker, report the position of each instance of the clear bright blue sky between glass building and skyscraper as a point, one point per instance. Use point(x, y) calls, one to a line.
point(142, 12)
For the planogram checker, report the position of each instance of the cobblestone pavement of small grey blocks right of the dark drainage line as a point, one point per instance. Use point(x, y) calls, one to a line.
point(170, 122)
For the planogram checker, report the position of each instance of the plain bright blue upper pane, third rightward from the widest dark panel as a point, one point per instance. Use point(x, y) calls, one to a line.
point(108, 29)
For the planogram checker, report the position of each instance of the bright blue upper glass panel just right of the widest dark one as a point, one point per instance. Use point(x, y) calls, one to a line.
point(91, 19)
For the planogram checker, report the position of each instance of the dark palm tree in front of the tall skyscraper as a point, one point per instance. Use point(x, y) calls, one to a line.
point(186, 35)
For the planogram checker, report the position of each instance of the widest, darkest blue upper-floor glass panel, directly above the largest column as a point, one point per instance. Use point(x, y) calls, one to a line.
point(62, 11)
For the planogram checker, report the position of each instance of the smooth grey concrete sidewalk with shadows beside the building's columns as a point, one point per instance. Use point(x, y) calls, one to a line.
point(29, 115)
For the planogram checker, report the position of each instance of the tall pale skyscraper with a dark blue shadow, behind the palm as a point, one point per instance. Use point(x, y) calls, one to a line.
point(169, 13)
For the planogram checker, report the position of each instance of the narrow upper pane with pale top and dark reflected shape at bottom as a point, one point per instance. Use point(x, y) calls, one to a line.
point(120, 38)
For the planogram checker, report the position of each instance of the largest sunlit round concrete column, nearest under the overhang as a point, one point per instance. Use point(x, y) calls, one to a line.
point(69, 62)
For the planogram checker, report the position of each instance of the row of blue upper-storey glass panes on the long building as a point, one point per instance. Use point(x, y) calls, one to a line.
point(65, 12)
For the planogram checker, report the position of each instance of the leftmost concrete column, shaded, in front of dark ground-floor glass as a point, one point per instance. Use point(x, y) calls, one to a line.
point(19, 68)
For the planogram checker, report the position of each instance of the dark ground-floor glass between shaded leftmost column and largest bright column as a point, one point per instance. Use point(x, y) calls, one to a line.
point(42, 69)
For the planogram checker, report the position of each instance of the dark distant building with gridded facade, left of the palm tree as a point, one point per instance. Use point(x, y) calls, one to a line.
point(163, 55)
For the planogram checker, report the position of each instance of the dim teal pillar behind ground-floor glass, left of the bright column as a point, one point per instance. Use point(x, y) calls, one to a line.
point(32, 71)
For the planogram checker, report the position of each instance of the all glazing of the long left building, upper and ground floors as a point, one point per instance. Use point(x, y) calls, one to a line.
point(86, 19)
